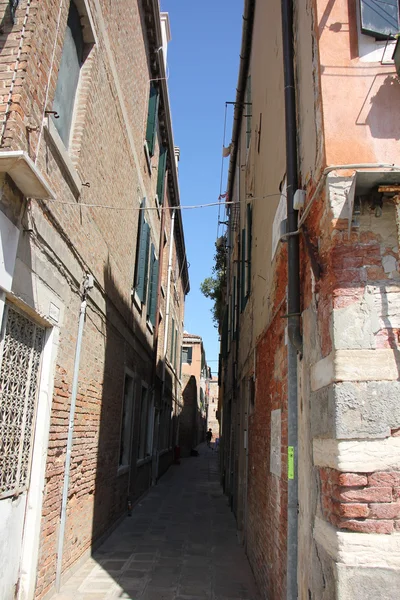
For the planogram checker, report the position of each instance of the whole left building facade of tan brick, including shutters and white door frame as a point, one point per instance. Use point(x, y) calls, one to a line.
point(107, 167)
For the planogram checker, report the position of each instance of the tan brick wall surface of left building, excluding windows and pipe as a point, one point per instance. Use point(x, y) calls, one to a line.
point(65, 241)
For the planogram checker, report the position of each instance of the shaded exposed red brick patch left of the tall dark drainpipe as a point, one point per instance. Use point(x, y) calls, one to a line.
point(267, 492)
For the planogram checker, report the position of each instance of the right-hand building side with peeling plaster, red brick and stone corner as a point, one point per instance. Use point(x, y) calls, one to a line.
point(344, 381)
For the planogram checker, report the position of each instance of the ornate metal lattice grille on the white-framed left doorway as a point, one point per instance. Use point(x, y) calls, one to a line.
point(20, 362)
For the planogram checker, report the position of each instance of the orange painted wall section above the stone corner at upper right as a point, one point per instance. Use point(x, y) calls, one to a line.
point(360, 98)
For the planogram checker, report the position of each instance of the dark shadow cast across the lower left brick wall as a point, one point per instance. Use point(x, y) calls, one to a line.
point(130, 406)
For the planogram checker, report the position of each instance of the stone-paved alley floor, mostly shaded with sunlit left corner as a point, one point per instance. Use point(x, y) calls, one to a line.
point(179, 544)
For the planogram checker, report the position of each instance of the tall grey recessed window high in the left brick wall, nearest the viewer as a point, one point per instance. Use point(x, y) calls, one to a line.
point(68, 74)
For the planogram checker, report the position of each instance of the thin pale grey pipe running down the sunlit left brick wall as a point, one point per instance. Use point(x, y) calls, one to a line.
point(88, 284)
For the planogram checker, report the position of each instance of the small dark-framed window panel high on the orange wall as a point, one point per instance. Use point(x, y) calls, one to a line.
point(379, 18)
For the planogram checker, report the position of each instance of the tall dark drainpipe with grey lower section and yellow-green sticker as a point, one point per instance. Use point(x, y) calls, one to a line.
point(293, 296)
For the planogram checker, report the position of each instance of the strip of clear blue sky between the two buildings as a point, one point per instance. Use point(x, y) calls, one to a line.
point(203, 62)
